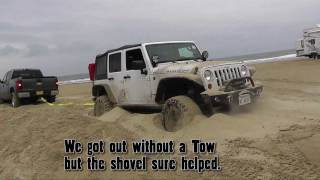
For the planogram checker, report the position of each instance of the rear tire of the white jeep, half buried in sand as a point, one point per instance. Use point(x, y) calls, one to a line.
point(102, 105)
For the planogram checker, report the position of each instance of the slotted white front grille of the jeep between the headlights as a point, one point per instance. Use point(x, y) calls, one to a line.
point(226, 74)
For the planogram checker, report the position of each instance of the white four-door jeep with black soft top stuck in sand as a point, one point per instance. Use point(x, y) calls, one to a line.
point(172, 76)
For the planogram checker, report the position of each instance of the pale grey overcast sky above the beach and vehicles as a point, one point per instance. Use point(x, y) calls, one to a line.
point(63, 36)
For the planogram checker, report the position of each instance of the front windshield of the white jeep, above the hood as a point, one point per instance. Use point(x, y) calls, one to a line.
point(171, 52)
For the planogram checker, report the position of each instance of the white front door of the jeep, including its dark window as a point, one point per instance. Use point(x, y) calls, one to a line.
point(136, 79)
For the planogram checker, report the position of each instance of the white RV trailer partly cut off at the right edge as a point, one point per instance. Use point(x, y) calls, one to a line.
point(309, 45)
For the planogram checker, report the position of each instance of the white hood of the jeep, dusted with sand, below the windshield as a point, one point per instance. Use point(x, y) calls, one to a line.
point(187, 66)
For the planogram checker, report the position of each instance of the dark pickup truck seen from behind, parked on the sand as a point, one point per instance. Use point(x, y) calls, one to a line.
point(27, 84)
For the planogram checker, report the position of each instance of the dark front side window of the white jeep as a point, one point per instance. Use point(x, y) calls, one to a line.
point(134, 60)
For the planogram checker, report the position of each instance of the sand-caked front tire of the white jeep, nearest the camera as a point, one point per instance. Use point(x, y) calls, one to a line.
point(177, 112)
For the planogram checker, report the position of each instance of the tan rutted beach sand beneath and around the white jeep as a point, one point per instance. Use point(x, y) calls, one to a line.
point(278, 139)
